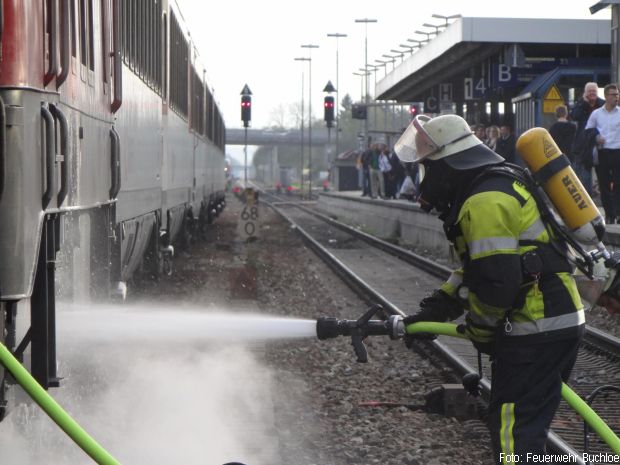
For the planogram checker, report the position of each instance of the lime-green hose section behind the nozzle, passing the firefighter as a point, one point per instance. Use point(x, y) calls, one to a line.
point(571, 397)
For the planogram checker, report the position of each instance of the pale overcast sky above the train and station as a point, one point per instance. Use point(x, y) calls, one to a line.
point(256, 42)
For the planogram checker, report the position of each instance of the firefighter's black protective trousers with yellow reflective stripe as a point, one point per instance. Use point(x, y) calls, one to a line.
point(525, 394)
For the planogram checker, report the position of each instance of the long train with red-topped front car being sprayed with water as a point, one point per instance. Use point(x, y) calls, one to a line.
point(112, 151)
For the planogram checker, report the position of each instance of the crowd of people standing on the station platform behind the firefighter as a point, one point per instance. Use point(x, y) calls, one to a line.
point(588, 134)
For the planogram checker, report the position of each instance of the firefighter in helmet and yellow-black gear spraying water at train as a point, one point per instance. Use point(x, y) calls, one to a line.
point(515, 286)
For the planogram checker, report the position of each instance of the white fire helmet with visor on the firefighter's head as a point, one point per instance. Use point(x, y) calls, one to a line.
point(444, 137)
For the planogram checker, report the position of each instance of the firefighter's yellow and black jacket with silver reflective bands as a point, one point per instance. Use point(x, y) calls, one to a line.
point(496, 225)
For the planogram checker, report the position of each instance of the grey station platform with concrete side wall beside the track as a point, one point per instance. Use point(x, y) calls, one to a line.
point(403, 221)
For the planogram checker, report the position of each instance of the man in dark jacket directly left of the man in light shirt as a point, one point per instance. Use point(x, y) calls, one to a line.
point(583, 145)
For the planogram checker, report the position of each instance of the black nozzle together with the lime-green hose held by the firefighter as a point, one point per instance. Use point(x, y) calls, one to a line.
point(395, 328)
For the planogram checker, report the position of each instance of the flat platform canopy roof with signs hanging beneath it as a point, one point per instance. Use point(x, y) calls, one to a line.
point(493, 59)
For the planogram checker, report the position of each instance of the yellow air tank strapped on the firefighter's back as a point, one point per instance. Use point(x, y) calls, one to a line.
point(553, 172)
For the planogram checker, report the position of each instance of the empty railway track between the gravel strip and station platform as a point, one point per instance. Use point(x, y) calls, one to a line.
point(397, 279)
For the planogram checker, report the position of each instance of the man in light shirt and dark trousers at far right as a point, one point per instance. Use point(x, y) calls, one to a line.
point(606, 120)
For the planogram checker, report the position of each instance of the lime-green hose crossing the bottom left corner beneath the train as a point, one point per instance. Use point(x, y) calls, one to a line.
point(54, 410)
